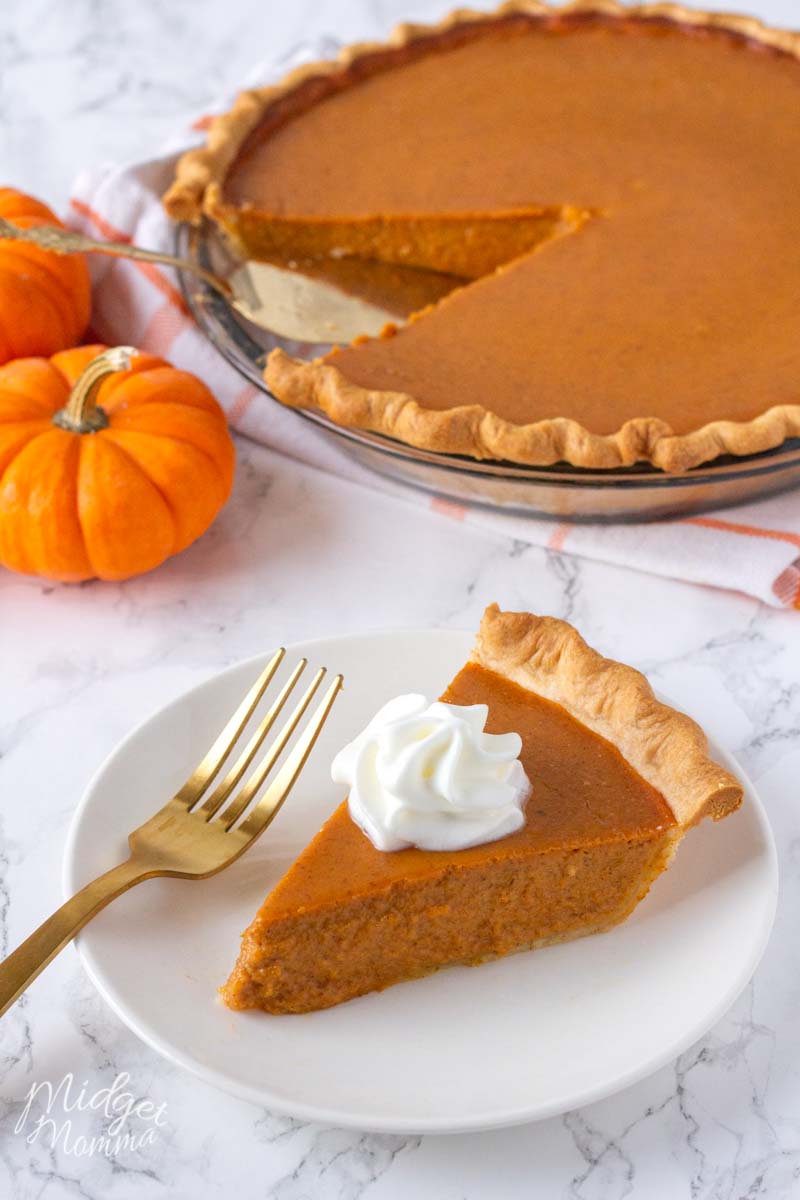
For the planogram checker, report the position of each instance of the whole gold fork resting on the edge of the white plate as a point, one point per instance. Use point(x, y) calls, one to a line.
point(191, 838)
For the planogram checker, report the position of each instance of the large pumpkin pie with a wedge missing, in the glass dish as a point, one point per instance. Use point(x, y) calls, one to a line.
point(619, 190)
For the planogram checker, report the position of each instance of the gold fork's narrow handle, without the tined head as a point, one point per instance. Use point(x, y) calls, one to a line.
point(25, 964)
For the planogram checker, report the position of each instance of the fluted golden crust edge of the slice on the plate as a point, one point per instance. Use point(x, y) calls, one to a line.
point(667, 748)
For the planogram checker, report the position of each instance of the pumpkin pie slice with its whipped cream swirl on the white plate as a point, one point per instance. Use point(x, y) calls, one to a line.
point(536, 803)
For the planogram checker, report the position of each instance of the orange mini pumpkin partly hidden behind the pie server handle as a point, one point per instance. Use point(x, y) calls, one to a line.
point(45, 298)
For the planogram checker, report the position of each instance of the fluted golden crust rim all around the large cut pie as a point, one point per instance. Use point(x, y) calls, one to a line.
point(471, 430)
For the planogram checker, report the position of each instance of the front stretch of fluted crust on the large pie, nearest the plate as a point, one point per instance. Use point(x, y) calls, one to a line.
point(480, 434)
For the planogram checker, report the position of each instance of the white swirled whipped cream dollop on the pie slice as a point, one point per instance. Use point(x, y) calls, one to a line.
point(428, 776)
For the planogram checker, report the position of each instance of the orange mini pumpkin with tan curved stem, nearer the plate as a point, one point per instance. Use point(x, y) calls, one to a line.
point(111, 461)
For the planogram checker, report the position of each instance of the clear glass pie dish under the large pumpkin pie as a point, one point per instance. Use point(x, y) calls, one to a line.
point(561, 493)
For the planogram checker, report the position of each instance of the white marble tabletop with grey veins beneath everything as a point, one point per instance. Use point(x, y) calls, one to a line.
point(298, 555)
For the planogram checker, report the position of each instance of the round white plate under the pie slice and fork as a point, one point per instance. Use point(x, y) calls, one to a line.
point(513, 1041)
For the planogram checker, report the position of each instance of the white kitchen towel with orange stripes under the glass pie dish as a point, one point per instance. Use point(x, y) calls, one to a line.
point(754, 548)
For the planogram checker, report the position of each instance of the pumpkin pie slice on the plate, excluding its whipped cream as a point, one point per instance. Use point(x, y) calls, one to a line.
point(616, 781)
